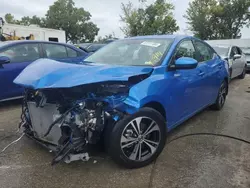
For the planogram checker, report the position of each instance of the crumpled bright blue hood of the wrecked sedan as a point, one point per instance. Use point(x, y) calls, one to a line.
point(46, 73)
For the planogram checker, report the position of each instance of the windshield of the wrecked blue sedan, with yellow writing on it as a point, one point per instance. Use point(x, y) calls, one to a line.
point(132, 52)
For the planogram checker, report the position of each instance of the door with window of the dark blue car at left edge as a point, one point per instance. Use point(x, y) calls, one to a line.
point(20, 55)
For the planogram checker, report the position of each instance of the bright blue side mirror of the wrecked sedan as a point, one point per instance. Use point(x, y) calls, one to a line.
point(186, 63)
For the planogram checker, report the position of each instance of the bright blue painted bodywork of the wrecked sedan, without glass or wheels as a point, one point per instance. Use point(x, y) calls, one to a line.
point(182, 93)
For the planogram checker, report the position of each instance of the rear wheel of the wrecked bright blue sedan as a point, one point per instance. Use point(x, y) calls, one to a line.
point(221, 98)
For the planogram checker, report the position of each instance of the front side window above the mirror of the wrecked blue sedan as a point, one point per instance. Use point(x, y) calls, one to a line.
point(185, 49)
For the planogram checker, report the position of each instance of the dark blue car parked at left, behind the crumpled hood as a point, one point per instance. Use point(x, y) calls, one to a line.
point(16, 55)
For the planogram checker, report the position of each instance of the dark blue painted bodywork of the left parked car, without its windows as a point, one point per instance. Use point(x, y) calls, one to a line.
point(8, 72)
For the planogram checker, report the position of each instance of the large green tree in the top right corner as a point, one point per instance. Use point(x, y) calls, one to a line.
point(217, 19)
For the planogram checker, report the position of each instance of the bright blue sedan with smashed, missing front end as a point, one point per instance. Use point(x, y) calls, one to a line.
point(127, 95)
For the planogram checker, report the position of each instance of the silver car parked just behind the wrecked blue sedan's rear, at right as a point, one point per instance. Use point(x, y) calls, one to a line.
point(236, 60)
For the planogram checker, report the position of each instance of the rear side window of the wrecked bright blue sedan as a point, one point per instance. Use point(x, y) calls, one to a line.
point(203, 52)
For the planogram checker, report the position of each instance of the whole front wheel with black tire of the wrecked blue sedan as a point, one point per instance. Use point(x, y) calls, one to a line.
point(126, 142)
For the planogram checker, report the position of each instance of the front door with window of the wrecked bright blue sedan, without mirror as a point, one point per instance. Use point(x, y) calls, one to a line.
point(188, 87)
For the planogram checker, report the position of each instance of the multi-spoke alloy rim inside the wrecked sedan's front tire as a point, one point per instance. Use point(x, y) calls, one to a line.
point(140, 139)
